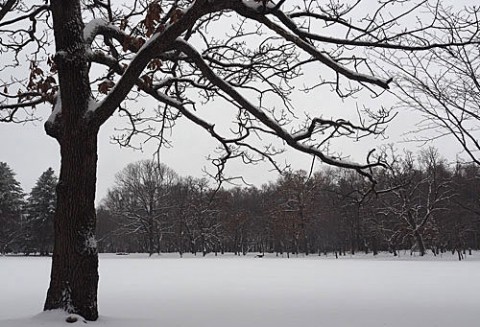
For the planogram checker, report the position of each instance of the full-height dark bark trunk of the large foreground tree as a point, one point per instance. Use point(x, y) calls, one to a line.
point(74, 275)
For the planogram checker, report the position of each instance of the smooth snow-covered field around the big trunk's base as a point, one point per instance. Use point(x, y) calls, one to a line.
point(229, 291)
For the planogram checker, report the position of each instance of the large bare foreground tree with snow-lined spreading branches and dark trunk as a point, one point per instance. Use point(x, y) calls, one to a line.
point(166, 50)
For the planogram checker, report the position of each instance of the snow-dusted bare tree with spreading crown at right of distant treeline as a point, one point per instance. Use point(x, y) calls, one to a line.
point(419, 192)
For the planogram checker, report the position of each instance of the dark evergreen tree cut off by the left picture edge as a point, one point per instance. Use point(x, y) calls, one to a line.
point(11, 202)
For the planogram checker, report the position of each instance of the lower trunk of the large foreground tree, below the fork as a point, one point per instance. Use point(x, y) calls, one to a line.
point(74, 276)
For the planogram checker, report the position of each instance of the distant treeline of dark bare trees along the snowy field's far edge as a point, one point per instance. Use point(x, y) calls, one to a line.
point(416, 203)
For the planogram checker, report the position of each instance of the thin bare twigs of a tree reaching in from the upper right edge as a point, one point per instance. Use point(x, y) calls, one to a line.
point(443, 84)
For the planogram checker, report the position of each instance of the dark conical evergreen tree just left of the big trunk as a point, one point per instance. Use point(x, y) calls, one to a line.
point(40, 211)
